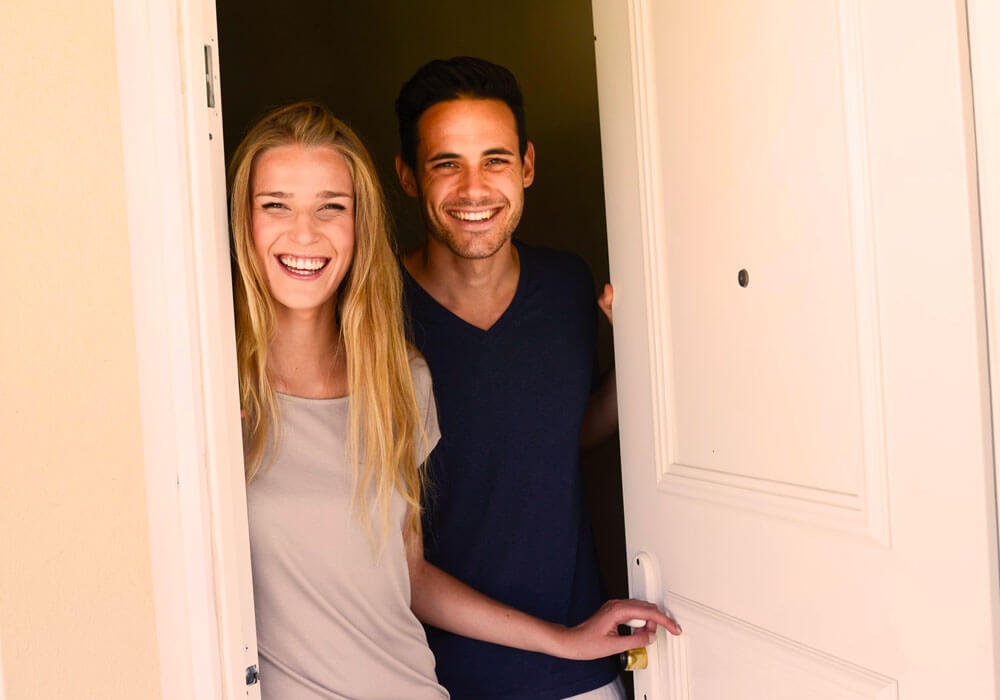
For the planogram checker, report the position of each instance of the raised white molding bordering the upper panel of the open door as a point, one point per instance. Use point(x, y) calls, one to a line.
point(862, 510)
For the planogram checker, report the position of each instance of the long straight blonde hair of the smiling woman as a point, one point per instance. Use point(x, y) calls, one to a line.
point(384, 425)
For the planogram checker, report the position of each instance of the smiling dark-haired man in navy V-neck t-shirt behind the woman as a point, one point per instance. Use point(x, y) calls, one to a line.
point(508, 331)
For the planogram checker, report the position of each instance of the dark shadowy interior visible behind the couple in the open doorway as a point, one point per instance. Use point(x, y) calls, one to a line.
point(354, 57)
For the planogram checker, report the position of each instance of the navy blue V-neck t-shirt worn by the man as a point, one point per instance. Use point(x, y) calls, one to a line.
point(505, 510)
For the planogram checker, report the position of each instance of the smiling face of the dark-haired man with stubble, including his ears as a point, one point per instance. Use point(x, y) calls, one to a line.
point(469, 175)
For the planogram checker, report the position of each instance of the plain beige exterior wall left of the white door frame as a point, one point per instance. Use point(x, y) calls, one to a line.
point(76, 598)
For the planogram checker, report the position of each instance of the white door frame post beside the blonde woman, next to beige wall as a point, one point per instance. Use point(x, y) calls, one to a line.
point(182, 301)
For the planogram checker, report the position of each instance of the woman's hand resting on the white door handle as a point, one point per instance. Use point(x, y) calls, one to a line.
point(598, 636)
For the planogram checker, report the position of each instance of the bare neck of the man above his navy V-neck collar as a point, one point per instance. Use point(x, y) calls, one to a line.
point(476, 290)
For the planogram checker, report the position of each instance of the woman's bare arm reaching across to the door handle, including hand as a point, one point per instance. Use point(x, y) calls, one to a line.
point(443, 601)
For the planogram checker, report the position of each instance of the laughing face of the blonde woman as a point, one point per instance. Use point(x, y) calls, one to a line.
point(302, 218)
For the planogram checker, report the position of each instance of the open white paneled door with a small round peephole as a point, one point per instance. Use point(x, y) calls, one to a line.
point(800, 336)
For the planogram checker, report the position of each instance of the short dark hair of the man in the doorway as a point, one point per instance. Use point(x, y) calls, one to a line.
point(458, 77)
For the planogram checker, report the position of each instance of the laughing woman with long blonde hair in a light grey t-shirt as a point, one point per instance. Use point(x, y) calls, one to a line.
point(338, 417)
